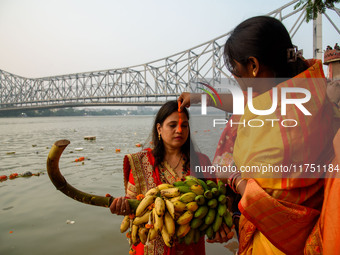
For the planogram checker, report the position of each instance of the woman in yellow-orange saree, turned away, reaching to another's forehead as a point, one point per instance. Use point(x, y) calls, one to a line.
point(278, 210)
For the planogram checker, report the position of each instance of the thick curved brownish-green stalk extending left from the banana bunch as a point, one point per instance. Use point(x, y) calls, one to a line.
point(62, 185)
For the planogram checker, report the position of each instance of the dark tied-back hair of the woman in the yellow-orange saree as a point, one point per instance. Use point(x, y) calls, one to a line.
point(266, 39)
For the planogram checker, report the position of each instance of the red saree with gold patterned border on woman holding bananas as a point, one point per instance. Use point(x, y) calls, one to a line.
point(140, 175)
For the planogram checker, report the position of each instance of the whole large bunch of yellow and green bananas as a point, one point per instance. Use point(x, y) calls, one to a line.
point(184, 211)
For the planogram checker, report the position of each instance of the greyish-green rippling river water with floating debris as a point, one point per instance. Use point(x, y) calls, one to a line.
point(33, 214)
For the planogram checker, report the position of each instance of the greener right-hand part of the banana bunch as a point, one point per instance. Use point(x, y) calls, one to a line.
point(202, 208)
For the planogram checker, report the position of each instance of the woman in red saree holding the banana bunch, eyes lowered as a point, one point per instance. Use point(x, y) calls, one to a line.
point(168, 161)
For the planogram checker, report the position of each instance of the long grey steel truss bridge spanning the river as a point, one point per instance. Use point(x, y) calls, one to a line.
point(151, 83)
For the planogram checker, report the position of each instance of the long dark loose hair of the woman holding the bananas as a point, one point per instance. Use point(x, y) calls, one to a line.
point(159, 150)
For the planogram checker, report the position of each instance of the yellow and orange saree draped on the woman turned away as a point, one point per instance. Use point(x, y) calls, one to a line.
point(279, 210)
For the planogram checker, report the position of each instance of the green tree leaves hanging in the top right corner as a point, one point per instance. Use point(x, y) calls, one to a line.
point(313, 8)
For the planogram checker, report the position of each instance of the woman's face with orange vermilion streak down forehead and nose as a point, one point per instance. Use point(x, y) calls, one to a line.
point(172, 133)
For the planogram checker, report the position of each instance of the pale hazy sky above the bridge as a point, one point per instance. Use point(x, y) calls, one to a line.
point(52, 37)
